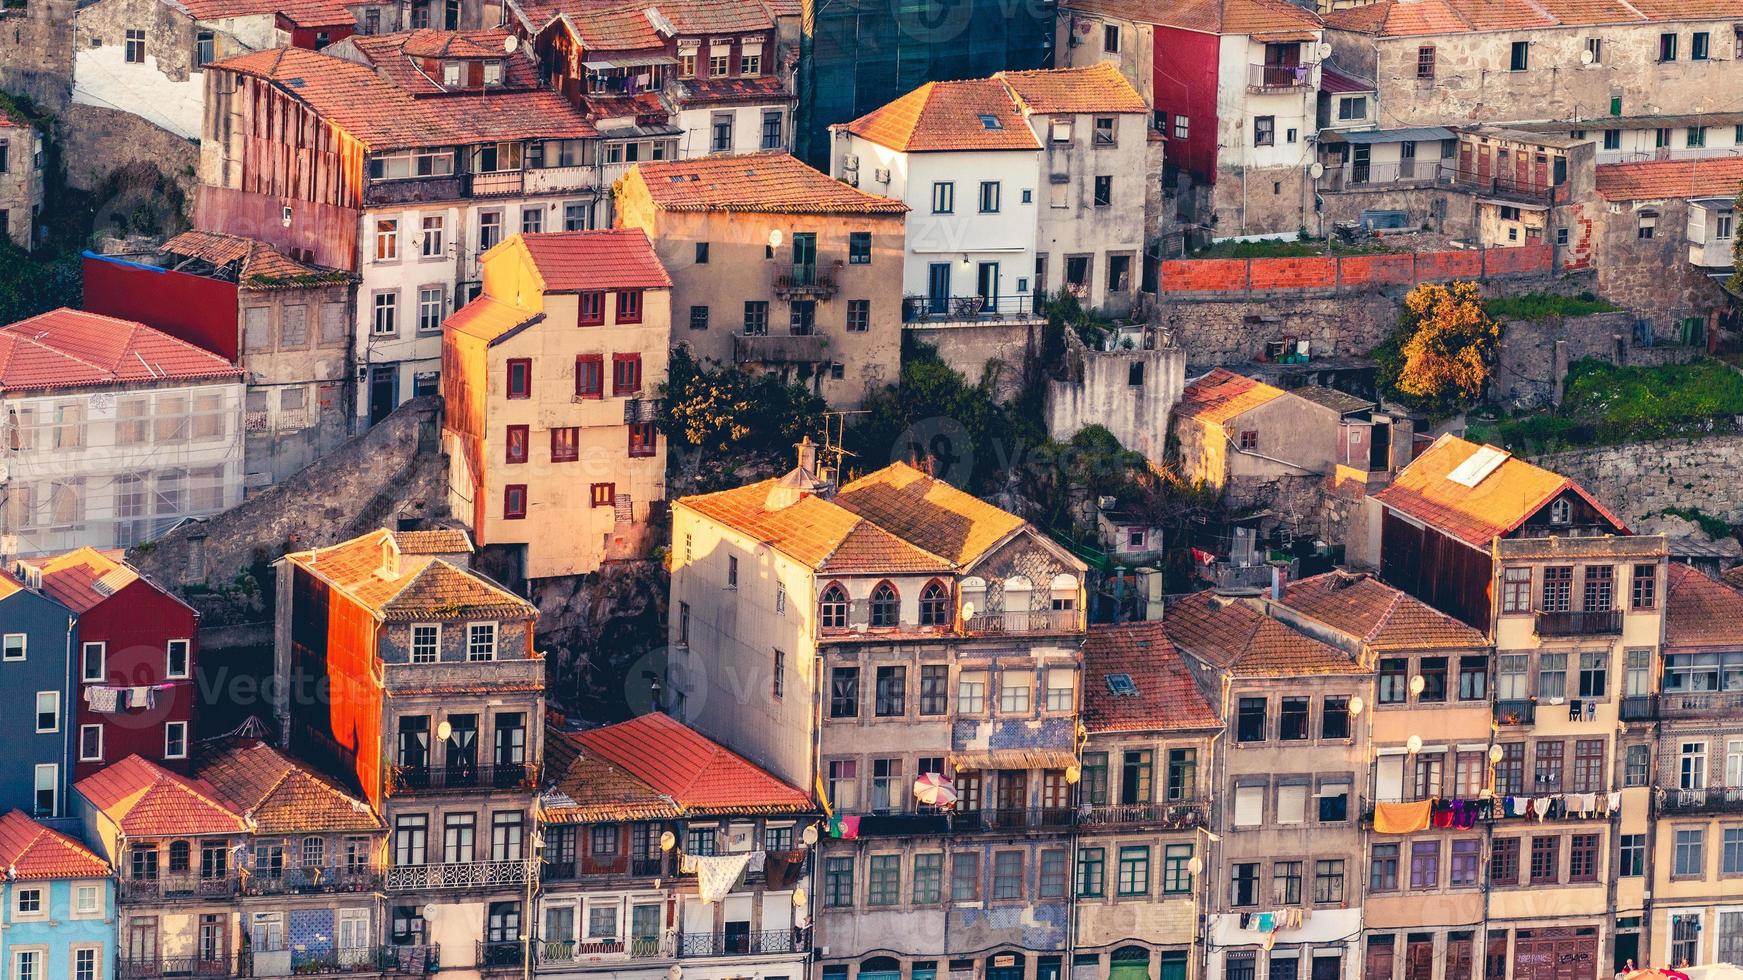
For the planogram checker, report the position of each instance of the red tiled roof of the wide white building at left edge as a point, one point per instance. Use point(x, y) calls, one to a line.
point(79, 350)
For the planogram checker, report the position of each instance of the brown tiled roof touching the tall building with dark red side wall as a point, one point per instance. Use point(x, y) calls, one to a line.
point(1378, 615)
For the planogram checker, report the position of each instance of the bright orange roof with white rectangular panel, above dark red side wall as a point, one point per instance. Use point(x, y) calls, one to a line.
point(1503, 498)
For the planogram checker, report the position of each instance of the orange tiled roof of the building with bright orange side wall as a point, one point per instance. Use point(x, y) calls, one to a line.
point(421, 589)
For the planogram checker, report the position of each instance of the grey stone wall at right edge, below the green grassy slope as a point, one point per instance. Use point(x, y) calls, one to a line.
point(1639, 480)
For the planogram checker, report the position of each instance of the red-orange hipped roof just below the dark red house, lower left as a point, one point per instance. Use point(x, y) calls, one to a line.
point(149, 801)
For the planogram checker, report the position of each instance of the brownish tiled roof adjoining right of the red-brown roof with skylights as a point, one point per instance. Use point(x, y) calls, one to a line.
point(1233, 636)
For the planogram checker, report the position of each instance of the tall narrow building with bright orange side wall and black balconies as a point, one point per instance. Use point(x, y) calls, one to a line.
point(419, 681)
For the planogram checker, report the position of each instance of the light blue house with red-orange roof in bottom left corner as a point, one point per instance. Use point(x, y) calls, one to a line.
point(57, 906)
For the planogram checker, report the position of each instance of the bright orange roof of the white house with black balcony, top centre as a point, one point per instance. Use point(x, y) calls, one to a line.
point(977, 114)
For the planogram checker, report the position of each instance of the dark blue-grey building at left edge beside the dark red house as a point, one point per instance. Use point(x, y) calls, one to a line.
point(37, 637)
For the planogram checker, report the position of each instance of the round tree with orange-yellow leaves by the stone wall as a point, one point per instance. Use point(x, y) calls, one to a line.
point(1444, 350)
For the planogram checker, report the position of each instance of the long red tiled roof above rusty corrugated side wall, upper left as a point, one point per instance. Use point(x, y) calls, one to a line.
point(384, 118)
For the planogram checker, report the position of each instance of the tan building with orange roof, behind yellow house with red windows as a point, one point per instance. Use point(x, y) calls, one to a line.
point(778, 268)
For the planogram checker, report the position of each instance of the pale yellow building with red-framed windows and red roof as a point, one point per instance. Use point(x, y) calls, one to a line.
point(550, 456)
